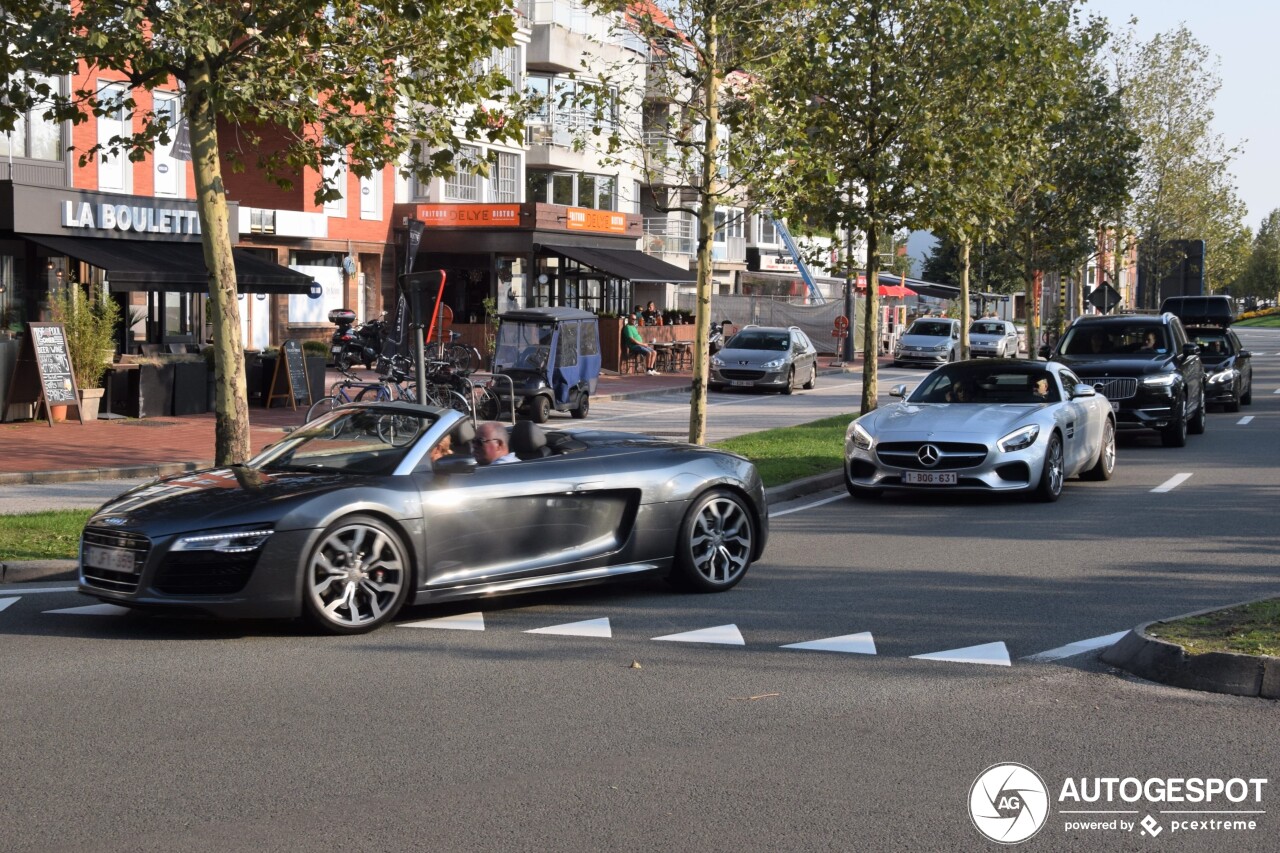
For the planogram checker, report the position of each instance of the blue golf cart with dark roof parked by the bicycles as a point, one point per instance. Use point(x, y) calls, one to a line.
point(552, 357)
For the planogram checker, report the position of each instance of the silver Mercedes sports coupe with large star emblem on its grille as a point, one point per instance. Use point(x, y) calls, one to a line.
point(1013, 426)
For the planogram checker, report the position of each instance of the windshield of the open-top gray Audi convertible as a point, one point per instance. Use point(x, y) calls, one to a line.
point(349, 441)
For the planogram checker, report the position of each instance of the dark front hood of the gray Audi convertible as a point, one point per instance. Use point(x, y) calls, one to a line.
point(217, 498)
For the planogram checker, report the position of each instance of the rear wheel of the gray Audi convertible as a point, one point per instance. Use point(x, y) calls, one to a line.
point(716, 545)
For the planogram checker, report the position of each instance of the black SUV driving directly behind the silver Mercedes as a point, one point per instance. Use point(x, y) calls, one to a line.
point(1148, 368)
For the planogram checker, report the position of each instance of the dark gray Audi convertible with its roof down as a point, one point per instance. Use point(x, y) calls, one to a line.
point(359, 513)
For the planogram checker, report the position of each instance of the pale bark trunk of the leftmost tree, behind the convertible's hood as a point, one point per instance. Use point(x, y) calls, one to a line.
point(231, 394)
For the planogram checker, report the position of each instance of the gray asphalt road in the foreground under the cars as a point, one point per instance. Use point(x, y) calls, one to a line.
point(126, 733)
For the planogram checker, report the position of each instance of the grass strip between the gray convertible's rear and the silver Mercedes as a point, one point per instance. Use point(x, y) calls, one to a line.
point(792, 453)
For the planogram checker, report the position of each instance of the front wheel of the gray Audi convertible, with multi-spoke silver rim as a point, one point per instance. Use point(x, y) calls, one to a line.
point(356, 577)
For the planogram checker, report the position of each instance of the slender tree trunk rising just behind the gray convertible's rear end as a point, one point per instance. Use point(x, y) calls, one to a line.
point(706, 232)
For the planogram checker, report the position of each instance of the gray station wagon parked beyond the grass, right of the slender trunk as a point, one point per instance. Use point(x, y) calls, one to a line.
point(772, 358)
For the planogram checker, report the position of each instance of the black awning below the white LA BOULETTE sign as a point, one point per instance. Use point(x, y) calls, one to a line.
point(141, 266)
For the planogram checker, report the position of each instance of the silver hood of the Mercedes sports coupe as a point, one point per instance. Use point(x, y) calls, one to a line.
point(918, 422)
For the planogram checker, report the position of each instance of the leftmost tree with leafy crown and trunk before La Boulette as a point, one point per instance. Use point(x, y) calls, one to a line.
point(381, 79)
